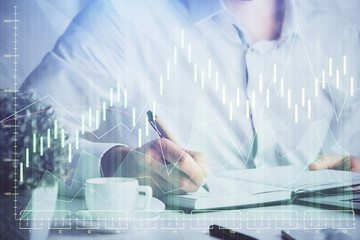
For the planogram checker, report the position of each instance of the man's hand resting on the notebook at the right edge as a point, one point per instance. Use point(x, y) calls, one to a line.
point(348, 163)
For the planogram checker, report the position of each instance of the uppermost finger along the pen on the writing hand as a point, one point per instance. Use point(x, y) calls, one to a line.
point(181, 160)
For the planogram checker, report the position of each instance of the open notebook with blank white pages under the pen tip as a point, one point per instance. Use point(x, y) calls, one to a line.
point(262, 186)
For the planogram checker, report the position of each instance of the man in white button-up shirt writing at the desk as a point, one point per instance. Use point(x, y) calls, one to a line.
point(247, 83)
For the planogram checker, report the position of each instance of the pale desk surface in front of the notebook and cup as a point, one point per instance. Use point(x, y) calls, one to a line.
point(262, 223)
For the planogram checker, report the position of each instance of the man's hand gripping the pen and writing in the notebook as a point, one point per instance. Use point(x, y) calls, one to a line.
point(161, 164)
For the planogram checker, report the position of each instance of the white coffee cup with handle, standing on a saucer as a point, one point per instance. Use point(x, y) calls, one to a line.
point(115, 197)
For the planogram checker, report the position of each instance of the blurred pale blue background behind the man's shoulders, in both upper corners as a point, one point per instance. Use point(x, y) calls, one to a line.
point(41, 22)
